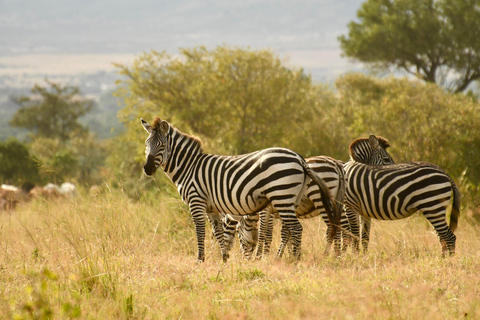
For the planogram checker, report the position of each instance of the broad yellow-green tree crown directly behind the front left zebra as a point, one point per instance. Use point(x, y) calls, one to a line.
point(239, 100)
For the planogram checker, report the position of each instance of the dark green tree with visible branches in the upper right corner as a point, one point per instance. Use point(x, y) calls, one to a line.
point(435, 40)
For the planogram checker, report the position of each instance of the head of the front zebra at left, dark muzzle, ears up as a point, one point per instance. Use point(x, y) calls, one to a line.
point(157, 149)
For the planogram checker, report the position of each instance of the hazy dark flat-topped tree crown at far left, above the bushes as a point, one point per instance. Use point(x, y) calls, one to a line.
point(51, 112)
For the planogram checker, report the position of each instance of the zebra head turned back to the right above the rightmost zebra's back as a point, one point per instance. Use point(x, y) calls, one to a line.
point(371, 151)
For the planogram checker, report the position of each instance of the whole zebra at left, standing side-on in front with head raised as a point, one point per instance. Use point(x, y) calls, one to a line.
point(239, 185)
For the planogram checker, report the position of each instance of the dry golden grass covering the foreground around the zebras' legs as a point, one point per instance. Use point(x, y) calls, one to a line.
point(108, 257)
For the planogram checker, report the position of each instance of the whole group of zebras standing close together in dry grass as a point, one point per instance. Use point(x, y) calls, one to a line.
point(237, 192)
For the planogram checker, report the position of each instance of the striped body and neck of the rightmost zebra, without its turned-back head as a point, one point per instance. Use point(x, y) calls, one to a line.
point(397, 191)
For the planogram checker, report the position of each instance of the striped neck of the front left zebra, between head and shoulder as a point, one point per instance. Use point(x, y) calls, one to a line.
point(185, 151)
